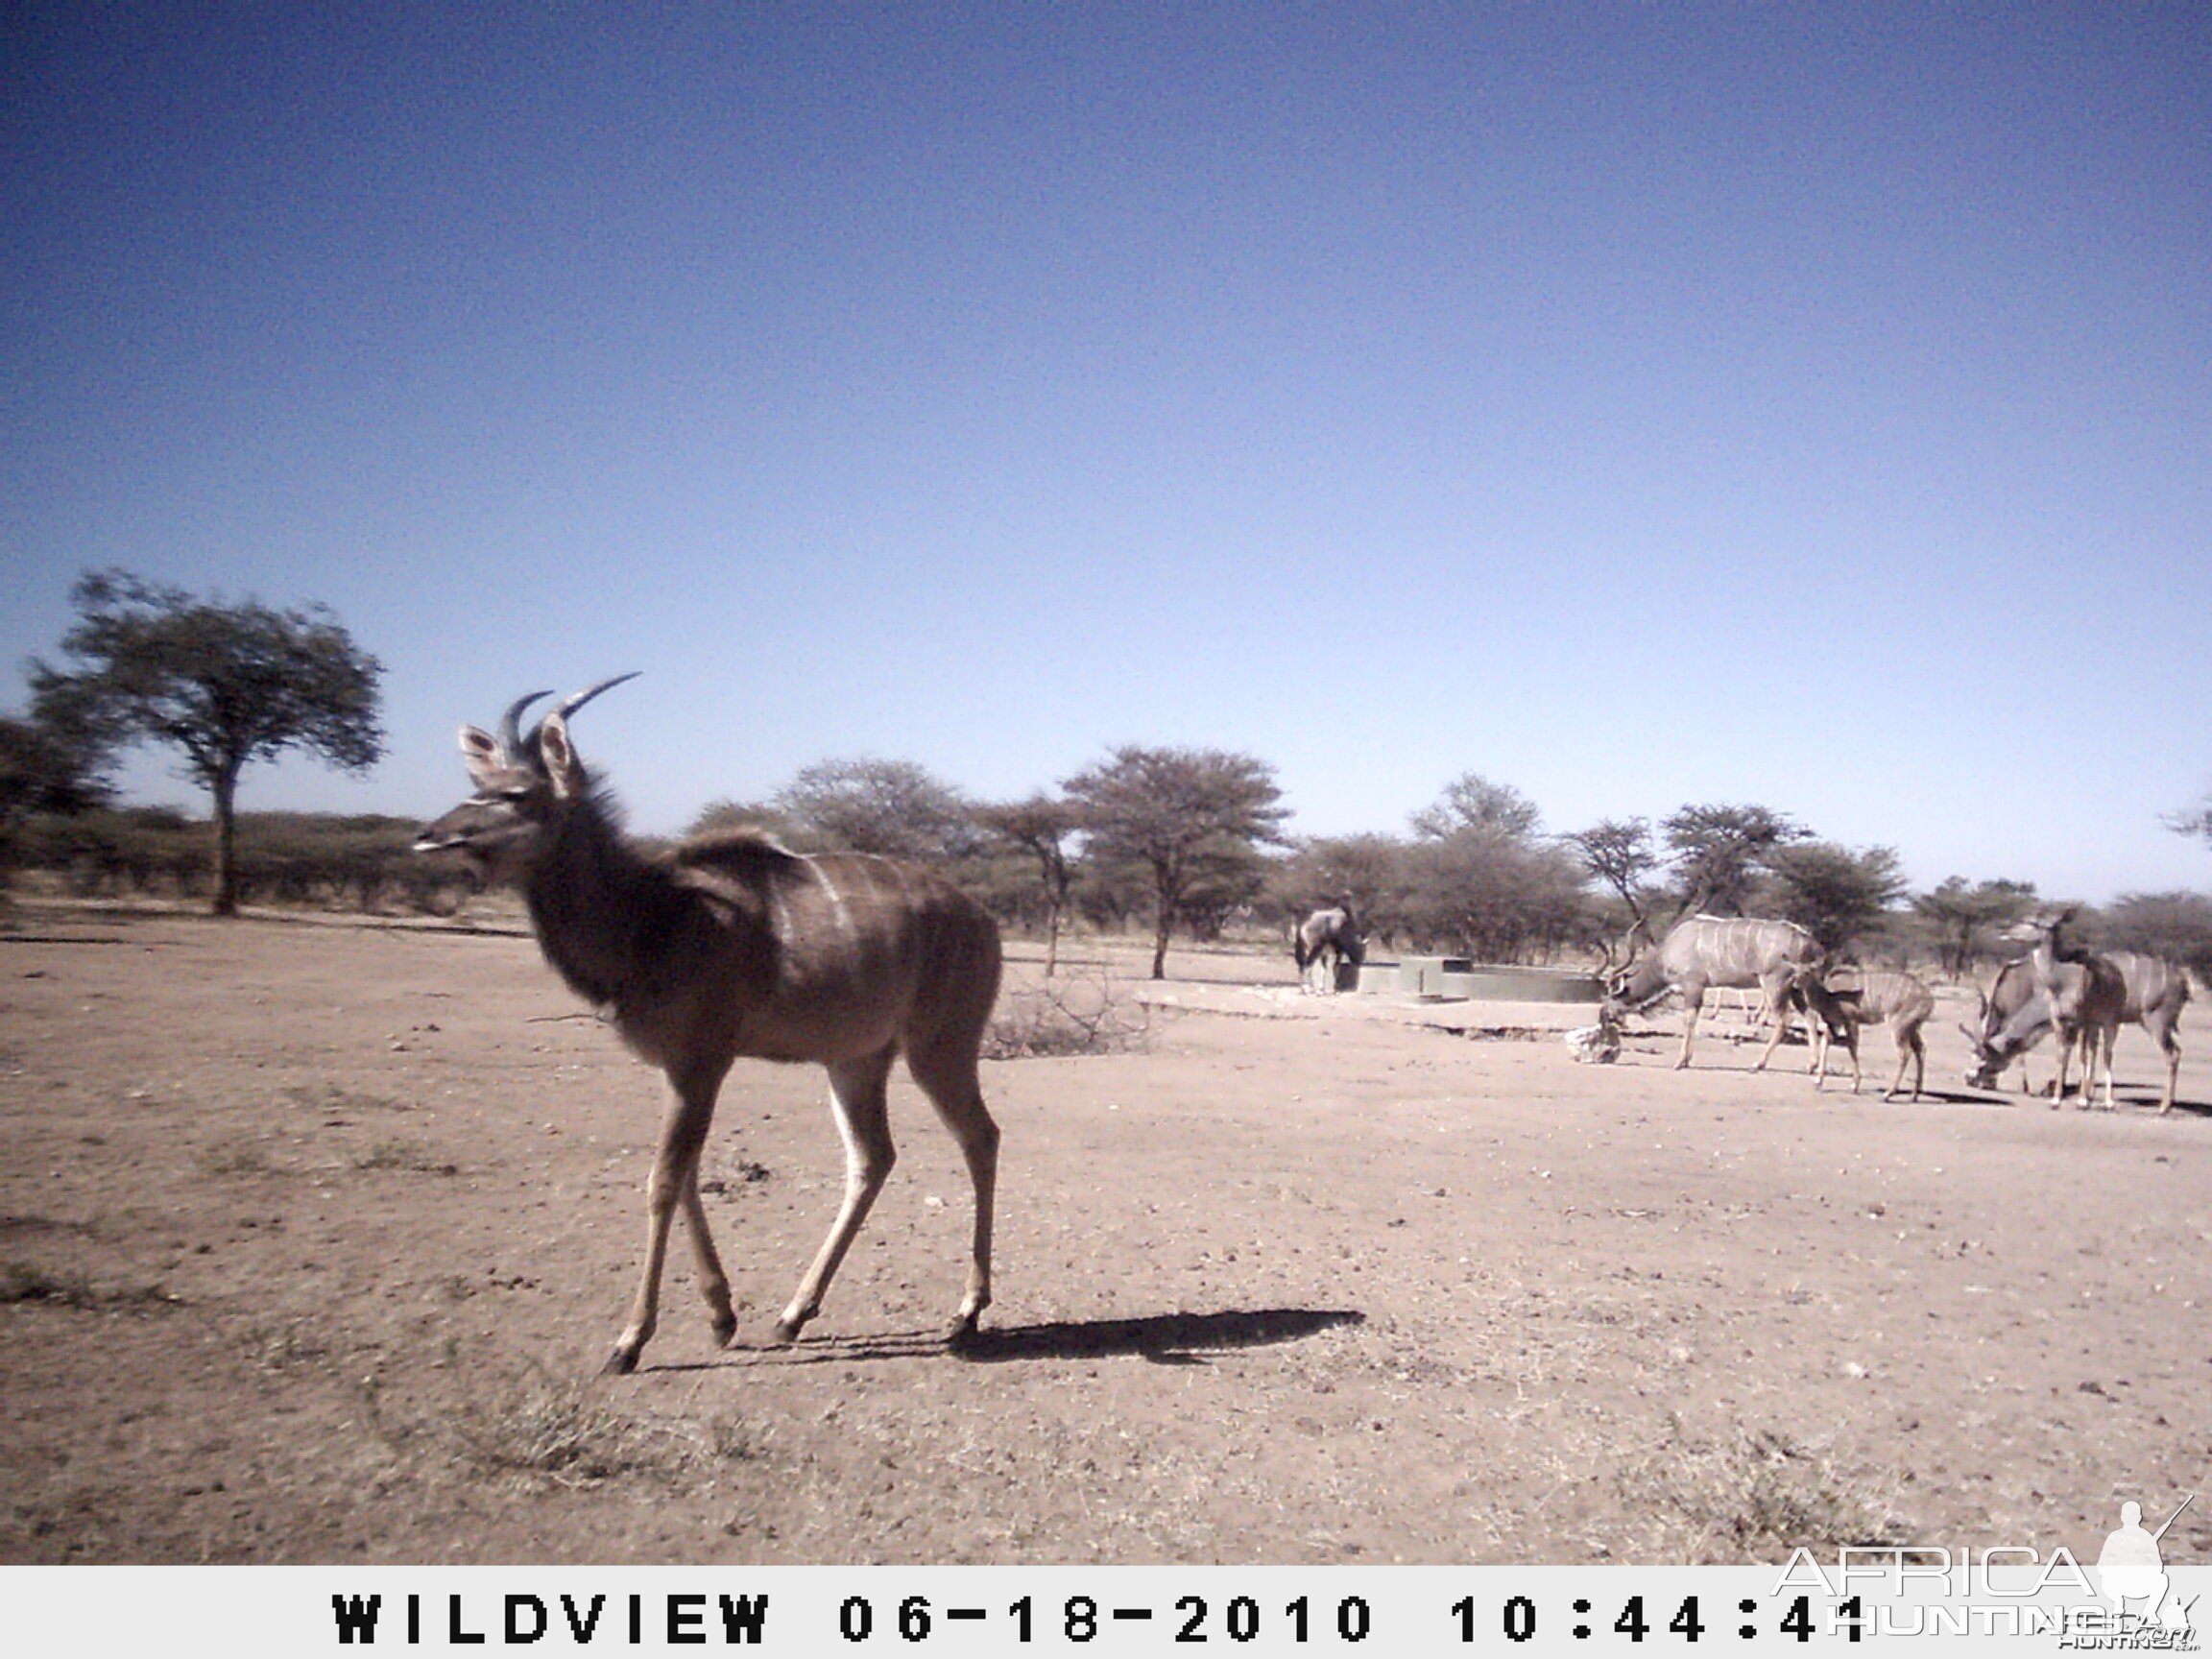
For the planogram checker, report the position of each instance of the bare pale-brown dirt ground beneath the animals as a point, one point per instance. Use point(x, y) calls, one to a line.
point(313, 1240)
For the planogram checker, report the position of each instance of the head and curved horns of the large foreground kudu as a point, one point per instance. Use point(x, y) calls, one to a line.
point(525, 786)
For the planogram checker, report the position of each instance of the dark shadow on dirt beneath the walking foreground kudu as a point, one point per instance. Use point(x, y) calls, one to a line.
point(1162, 1339)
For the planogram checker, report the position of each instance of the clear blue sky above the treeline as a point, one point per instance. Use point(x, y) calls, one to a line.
point(1638, 406)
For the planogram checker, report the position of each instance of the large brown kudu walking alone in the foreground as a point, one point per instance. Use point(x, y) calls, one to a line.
point(733, 948)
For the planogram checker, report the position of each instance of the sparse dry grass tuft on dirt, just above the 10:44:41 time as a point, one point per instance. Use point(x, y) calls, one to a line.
point(1757, 1496)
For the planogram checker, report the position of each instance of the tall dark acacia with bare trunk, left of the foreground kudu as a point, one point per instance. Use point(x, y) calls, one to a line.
point(227, 685)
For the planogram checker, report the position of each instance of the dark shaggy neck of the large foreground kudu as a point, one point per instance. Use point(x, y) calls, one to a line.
point(596, 901)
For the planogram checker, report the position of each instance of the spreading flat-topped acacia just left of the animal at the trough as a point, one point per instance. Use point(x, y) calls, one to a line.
point(1182, 815)
